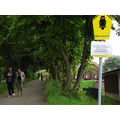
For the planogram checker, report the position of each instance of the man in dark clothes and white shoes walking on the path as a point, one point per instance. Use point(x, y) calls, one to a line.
point(10, 81)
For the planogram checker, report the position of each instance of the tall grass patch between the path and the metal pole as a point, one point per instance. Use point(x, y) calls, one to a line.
point(55, 96)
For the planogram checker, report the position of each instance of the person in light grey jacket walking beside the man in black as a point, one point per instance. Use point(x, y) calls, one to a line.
point(20, 76)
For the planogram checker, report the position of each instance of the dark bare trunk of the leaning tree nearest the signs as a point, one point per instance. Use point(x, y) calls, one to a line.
point(84, 57)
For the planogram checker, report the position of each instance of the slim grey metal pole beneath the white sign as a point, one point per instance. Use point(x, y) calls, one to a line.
point(100, 81)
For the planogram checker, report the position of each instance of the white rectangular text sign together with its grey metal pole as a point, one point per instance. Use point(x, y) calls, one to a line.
point(100, 49)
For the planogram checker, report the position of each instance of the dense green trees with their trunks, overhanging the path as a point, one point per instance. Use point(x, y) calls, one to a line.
point(54, 43)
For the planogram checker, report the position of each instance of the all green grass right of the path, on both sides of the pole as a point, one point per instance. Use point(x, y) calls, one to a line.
point(55, 96)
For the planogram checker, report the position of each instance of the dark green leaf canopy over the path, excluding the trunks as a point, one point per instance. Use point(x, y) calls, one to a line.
point(33, 42)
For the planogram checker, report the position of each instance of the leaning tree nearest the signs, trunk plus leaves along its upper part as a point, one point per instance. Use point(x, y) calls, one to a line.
point(86, 50)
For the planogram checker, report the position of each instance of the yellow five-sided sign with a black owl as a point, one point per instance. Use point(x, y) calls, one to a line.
point(102, 26)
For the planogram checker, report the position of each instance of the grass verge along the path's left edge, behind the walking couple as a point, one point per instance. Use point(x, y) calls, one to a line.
point(3, 86)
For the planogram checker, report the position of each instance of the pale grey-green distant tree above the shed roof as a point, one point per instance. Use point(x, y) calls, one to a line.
point(111, 63)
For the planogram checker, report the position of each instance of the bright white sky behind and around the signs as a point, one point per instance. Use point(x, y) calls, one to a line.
point(115, 41)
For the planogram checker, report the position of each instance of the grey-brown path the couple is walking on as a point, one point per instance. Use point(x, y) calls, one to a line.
point(33, 94)
